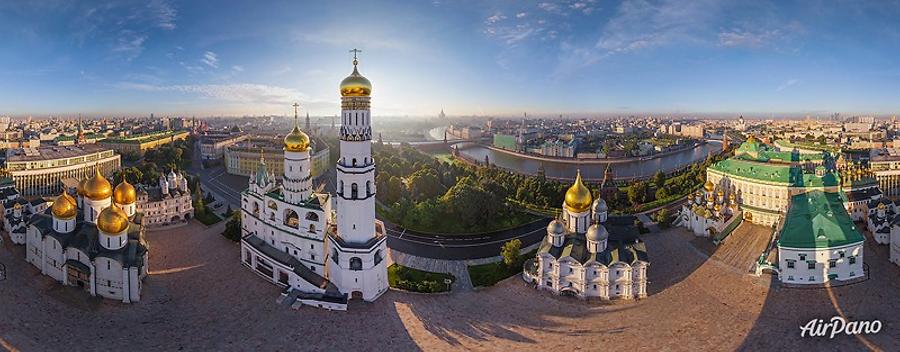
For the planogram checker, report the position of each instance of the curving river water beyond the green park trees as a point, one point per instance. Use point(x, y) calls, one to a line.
point(592, 171)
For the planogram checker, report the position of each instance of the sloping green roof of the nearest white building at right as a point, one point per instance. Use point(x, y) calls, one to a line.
point(818, 220)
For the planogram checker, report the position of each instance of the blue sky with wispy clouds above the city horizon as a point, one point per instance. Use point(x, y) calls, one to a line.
point(467, 57)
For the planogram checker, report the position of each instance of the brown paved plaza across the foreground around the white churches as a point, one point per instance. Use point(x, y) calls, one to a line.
point(198, 297)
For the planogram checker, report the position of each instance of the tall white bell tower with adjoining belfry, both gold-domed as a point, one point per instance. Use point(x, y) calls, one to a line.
point(322, 249)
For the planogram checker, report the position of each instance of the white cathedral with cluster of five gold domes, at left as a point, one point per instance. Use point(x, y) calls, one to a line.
point(94, 242)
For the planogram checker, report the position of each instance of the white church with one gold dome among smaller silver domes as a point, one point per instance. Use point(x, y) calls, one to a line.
point(588, 256)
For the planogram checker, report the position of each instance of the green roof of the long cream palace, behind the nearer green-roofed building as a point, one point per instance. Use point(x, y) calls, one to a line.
point(774, 173)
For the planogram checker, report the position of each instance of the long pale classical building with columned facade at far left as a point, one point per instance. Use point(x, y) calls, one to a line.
point(38, 171)
